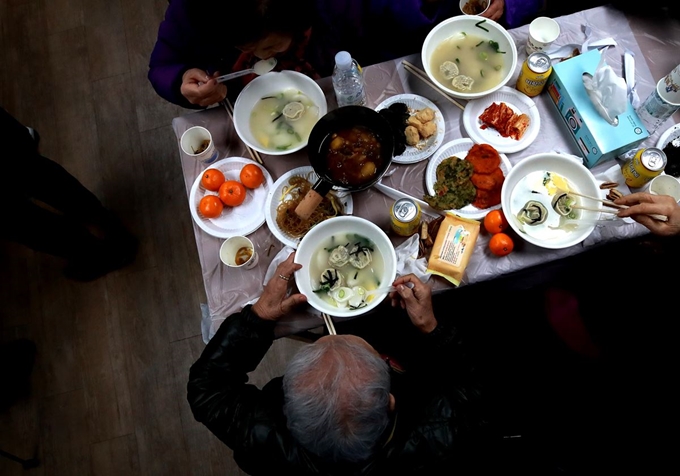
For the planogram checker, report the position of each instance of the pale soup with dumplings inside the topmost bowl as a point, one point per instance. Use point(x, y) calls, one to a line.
point(471, 56)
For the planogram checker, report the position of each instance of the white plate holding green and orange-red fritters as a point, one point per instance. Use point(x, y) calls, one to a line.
point(466, 178)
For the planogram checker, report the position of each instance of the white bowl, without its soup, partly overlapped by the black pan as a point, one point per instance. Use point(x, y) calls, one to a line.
point(268, 84)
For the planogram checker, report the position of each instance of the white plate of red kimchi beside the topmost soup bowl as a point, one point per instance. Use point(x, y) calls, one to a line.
point(507, 119)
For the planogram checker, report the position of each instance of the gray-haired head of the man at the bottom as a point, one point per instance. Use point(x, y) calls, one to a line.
point(336, 396)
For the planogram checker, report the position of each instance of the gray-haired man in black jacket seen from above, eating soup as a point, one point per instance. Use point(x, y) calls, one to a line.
point(341, 407)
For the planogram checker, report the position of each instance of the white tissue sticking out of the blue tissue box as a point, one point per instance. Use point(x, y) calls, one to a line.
point(607, 92)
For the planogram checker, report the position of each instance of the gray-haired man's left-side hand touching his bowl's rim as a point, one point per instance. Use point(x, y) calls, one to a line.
point(273, 302)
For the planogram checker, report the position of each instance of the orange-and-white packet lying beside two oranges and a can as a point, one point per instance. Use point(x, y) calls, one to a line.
point(453, 247)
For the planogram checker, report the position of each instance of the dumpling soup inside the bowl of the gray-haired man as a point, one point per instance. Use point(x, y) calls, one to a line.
point(343, 268)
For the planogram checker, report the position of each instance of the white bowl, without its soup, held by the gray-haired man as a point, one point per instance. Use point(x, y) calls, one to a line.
point(343, 224)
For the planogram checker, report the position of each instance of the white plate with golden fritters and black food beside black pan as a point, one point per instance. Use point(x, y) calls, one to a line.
point(427, 126)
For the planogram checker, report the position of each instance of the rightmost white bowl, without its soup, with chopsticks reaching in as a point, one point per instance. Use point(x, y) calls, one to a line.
point(581, 179)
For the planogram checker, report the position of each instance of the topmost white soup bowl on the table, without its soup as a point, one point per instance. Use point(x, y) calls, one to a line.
point(467, 24)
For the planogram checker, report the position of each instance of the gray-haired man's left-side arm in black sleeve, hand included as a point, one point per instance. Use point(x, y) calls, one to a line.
point(217, 391)
